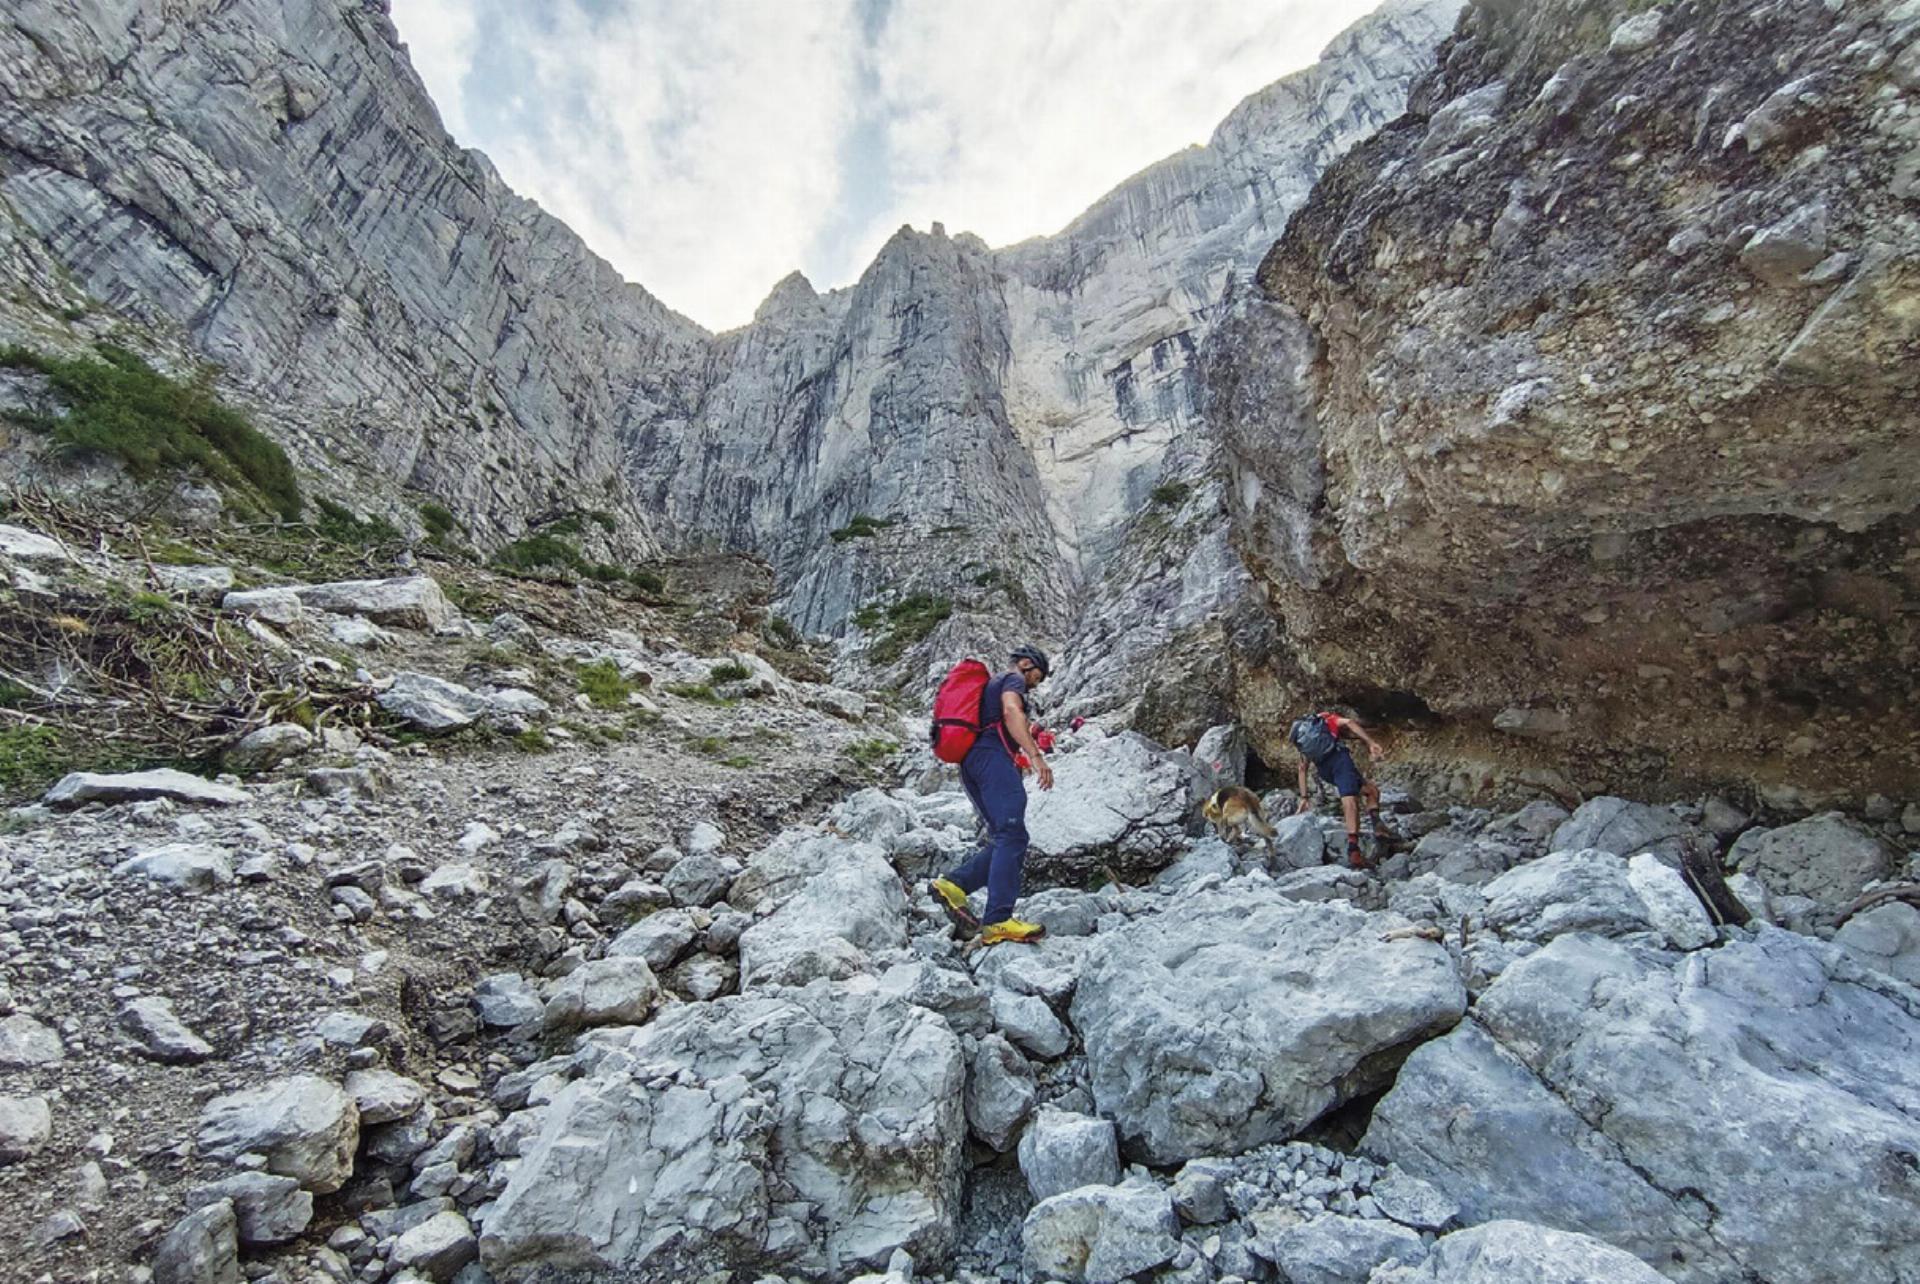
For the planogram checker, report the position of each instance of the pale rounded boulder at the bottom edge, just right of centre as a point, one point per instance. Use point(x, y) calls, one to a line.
point(1099, 1235)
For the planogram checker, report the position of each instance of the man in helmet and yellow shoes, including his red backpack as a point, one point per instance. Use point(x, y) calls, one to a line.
point(982, 725)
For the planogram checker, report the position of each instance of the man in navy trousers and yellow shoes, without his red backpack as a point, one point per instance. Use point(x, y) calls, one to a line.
point(992, 780)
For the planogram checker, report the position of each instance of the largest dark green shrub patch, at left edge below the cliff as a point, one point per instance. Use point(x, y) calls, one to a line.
point(122, 406)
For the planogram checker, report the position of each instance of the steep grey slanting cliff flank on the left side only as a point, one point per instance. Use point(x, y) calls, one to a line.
point(270, 185)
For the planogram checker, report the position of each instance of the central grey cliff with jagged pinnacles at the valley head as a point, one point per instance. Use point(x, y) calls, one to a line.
point(1011, 412)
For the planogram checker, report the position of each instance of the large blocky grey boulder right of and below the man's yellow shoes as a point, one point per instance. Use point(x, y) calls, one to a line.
point(1247, 1016)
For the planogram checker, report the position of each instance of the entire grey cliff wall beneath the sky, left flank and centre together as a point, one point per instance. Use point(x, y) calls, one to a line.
point(266, 185)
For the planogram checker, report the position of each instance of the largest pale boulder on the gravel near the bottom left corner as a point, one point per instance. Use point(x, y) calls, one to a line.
point(304, 1126)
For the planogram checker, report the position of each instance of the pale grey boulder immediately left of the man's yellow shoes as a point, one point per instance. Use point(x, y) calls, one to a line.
point(830, 922)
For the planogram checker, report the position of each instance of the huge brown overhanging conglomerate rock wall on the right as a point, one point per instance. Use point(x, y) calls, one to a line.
point(1614, 337)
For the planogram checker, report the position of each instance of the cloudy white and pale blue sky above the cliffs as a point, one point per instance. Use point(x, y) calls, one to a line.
point(711, 147)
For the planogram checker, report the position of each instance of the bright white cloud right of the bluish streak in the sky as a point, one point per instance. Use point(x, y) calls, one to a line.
point(1013, 118)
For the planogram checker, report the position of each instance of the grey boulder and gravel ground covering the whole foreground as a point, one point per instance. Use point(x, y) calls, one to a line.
point(623, 1012)
